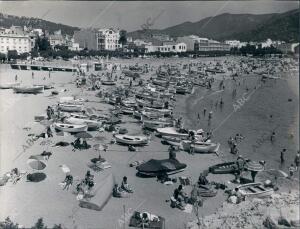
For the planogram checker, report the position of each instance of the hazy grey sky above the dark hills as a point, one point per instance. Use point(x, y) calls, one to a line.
point(133, 15)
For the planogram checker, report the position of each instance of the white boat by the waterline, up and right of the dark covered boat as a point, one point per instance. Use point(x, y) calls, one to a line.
point(200, 147)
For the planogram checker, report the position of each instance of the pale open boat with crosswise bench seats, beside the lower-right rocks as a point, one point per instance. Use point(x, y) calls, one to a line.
point(255, 190)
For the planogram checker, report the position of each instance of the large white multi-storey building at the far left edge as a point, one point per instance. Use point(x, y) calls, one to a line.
point(20, 43)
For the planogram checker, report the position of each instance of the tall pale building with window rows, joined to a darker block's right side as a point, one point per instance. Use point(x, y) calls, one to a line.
point(108, 39)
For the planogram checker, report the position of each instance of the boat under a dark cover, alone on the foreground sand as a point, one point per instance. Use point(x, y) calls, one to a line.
point(156, 167)
